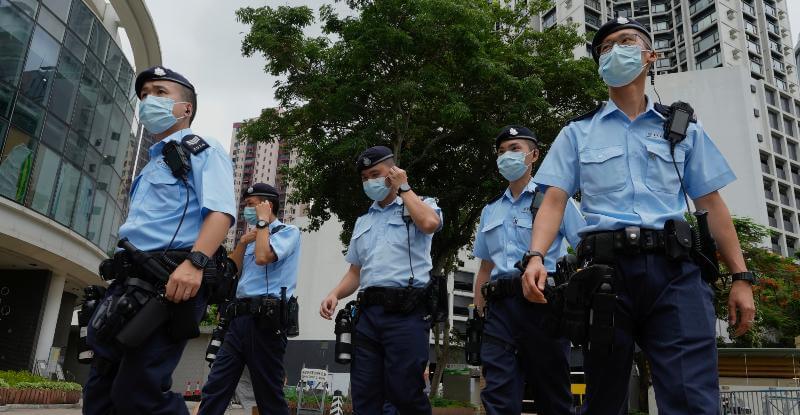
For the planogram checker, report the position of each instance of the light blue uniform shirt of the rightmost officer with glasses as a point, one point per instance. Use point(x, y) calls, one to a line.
point(624, 169)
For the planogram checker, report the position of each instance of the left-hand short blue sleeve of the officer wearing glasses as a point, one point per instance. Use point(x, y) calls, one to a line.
point(560, 167)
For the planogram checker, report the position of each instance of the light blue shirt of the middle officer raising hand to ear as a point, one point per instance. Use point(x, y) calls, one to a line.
point(380, 247)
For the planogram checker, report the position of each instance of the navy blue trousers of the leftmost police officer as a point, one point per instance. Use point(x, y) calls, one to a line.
point(137, 381)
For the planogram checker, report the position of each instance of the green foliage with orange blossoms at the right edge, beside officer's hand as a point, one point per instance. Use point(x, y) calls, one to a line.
point(777, 295)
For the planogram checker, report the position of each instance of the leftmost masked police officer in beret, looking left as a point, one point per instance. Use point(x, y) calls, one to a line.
point(166, 213)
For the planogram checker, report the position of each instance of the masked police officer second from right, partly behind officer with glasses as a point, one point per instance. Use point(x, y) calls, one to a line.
point(514, 344)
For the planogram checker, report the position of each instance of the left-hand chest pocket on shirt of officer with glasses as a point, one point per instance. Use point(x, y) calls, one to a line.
point(603, 170)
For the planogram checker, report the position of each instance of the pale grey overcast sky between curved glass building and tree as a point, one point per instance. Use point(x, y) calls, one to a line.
point(201, 39)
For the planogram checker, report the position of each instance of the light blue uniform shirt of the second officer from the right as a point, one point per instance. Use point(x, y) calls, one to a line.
point(504, 233)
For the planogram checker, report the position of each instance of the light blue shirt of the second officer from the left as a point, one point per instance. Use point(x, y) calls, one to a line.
point(258, 280)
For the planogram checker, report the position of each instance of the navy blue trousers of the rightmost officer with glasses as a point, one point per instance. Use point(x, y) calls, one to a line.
point(667, 309)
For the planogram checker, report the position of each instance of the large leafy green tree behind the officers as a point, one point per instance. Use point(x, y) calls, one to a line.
point(434, 80)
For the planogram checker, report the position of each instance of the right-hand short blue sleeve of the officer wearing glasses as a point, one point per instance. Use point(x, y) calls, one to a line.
point(705, 170)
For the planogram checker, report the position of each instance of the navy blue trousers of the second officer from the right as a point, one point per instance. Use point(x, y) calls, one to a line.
point(516, 350)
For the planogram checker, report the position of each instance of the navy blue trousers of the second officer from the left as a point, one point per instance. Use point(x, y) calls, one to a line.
point(262, 351)
